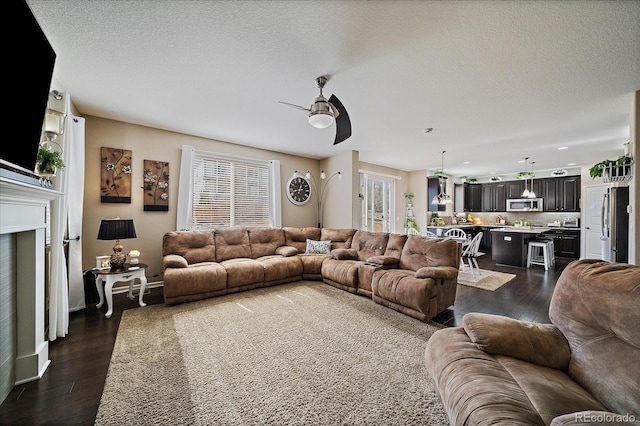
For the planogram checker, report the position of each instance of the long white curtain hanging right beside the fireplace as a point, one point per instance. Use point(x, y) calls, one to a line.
point(66, 210)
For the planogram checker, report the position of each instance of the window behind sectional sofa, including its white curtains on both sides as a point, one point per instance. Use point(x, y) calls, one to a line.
point(226, 192)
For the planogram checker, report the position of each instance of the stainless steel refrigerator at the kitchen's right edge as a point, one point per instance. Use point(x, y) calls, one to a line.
point(615, 225)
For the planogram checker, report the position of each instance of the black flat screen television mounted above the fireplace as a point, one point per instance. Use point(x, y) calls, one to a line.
point(28, 72)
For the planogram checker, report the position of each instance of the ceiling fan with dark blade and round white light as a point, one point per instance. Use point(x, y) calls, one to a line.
point(323, 113)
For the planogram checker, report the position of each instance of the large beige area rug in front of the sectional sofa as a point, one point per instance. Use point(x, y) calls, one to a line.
point(303, 353)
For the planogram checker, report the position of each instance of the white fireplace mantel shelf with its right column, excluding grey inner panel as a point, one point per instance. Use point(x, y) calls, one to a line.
point(23, 212)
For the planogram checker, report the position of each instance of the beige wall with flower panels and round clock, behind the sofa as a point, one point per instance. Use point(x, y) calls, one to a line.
point(153, 144)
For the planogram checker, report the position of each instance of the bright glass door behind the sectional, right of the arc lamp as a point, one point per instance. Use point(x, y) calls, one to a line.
point(377, 195)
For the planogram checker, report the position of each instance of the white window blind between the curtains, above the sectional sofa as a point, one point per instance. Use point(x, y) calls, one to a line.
point(230, 193)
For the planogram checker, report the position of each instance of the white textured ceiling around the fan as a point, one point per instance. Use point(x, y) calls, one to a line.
point(496, 80)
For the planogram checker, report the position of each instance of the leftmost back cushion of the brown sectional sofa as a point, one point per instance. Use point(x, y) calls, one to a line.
point(194, 246)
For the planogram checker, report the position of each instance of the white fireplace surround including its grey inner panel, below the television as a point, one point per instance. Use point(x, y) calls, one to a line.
point(25, 355)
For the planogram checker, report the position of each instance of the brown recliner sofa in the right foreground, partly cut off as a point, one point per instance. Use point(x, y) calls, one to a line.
point(583, 368)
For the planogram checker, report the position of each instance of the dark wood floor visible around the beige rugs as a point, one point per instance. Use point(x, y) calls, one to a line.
point(69, 392)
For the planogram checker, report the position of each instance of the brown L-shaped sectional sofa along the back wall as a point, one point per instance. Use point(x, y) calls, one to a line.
point(411, 274)
